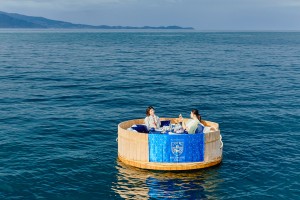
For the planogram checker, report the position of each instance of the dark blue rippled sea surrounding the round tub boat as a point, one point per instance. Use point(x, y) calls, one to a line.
point(63, 93)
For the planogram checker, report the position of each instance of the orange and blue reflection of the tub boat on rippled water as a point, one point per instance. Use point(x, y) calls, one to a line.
point(134, 183)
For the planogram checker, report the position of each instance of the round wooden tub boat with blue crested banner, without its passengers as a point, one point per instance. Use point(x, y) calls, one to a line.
point(169, 151)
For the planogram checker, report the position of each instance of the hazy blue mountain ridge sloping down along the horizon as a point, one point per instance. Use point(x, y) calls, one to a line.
point(13, 20)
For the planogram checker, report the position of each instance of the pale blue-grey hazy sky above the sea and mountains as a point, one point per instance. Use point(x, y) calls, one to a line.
point(199, 14)
